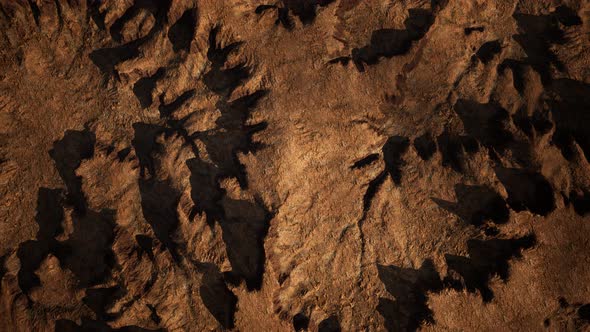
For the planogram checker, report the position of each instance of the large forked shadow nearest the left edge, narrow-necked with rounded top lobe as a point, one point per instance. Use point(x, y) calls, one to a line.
point(87, 252)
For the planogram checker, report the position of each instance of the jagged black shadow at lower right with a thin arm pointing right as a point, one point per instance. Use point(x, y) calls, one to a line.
point(487, 258)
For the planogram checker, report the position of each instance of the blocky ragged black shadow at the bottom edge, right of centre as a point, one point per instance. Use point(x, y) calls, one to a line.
point(410, 288)
